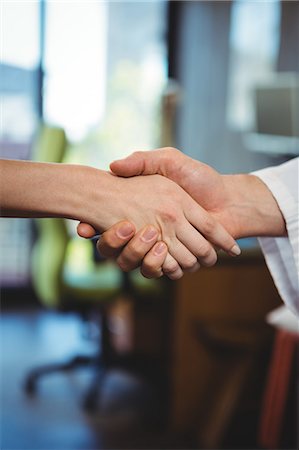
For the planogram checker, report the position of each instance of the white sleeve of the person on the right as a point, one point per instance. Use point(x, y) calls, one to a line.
point(282, 253)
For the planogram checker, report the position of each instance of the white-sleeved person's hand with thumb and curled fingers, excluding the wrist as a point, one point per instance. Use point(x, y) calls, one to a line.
point(204, 184)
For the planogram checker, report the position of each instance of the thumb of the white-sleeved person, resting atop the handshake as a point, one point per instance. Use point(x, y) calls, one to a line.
point(140, 163)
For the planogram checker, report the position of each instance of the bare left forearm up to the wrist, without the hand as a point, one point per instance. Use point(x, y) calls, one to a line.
point(31, 189)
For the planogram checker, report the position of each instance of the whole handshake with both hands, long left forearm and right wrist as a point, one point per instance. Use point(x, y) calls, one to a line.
point(160, 210)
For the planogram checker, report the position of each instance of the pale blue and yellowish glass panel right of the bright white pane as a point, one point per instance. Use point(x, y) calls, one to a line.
point(136, 74)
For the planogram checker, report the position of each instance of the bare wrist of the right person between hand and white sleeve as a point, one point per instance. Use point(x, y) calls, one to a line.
point(252, 207)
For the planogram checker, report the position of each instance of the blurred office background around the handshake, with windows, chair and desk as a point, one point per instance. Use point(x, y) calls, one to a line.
point(93, 358)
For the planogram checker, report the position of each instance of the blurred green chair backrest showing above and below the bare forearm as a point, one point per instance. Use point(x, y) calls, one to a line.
point(50, 247)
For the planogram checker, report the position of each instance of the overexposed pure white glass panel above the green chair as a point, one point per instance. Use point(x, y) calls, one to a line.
point(75, 65)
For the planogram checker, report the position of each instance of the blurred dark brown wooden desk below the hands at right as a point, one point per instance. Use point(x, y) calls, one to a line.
point(219, 328)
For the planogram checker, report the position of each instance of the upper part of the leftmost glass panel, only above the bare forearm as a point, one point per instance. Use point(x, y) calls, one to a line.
point(19, 61)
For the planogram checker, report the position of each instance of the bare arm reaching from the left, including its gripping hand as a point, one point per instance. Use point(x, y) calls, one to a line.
point(100, 199)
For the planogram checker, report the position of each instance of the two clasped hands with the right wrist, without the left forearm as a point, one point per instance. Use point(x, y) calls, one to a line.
point(169, 213)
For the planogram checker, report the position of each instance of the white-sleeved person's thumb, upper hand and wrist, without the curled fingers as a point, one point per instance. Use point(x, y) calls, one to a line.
point(242, 203)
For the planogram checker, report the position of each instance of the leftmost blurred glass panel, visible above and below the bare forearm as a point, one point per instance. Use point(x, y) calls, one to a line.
point(18, 88)
